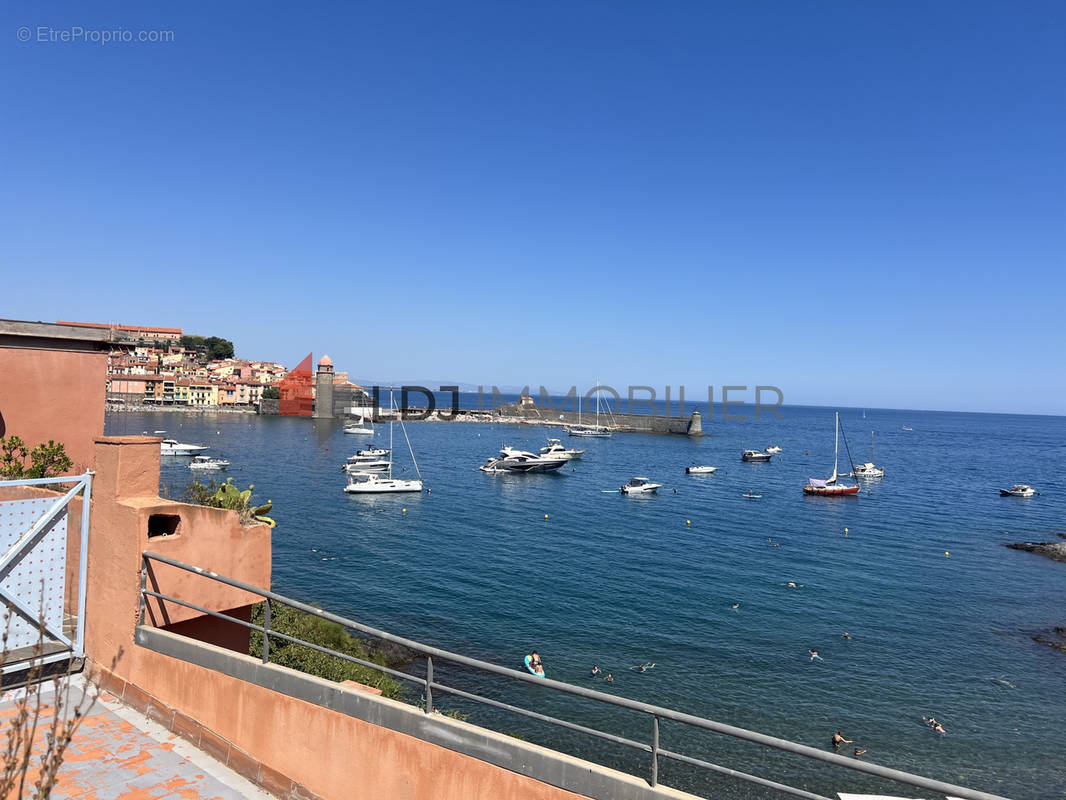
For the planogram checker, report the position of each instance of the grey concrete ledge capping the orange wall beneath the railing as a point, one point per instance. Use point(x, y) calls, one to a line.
point(532, 761)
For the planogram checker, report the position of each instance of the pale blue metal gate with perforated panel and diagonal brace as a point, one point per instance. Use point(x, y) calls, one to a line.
point(41, 629)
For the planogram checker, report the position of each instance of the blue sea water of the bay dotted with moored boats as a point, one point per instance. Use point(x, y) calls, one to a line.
point(474, 567)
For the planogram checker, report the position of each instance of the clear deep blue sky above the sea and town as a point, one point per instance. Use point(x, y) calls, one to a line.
point(864, 204)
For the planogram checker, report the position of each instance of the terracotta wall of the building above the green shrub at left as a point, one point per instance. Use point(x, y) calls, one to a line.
point(54, 395)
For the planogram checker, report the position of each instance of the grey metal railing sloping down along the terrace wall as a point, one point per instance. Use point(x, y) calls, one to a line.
point(656, 714)
